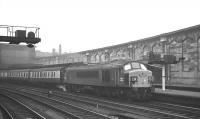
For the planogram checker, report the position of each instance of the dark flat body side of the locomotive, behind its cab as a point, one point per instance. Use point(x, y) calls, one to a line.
point(97, 77)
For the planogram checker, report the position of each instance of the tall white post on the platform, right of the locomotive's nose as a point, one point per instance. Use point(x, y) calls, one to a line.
point(163, 41)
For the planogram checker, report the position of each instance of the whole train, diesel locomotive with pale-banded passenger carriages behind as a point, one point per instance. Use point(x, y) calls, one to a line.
point(116, 78)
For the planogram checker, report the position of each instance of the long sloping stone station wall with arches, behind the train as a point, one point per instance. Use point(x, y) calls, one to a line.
point(184, 43)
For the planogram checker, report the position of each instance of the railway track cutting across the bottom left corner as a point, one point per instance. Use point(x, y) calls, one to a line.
point(18, 110)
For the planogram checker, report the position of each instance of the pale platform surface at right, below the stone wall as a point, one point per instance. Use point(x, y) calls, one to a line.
point(173, 92)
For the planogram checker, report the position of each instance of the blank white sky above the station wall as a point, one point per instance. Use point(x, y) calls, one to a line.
point(80, 25)
